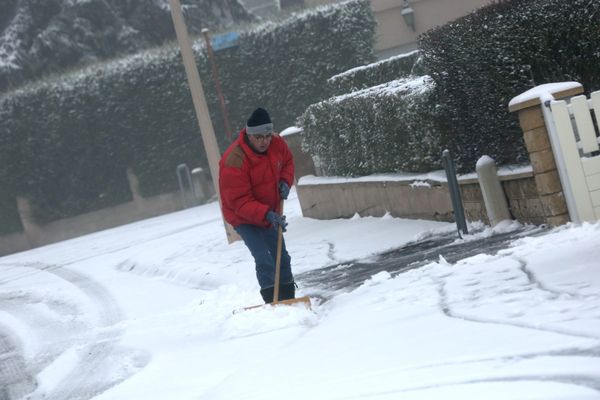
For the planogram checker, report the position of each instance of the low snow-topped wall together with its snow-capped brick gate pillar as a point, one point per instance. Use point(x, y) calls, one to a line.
point(534, 197)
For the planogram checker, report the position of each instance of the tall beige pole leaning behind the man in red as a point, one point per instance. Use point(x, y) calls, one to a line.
point(206, 128)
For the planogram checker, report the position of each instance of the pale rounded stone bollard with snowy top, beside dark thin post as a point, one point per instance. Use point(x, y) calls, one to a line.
point(491, 189)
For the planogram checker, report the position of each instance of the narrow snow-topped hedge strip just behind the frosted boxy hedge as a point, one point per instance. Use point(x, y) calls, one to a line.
point(373, 74)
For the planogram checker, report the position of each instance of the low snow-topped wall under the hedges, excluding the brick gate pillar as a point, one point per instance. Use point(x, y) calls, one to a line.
point(430, 199)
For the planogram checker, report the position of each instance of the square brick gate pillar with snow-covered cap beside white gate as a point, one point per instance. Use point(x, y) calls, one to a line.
point(537, 141)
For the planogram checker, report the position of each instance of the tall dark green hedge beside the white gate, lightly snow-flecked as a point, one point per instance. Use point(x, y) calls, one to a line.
point(480, 62)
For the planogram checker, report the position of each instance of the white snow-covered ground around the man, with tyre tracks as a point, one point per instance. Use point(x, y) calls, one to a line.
point(144, 311)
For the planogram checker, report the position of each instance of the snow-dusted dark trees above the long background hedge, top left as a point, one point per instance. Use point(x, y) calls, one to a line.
point(40, 37)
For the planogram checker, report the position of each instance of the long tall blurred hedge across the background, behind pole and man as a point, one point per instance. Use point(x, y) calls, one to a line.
point(65, 143)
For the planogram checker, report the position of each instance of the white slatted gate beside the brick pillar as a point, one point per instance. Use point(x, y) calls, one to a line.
point(574, 139)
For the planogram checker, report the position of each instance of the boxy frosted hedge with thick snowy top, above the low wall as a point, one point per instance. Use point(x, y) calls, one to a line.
point(385, 128)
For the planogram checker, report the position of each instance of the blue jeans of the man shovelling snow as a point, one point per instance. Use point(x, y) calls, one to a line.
point(262, 243)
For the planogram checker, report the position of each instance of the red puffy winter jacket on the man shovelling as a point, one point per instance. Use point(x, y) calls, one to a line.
point(249, 181)
